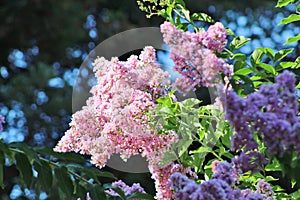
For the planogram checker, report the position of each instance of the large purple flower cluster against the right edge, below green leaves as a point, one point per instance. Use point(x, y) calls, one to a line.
point(271, 113)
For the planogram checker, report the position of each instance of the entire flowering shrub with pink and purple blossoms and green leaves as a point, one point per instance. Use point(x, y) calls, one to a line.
point(239, 147)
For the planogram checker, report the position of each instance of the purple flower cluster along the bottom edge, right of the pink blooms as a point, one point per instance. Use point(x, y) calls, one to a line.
point(221, 187)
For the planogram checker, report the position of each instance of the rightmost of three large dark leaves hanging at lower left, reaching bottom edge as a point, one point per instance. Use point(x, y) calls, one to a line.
point(64, 183)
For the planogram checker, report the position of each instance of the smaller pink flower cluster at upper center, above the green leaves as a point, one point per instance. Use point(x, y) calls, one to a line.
point(194, 55)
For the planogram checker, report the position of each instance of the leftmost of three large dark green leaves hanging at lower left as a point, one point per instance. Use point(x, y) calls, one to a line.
point(25, 168)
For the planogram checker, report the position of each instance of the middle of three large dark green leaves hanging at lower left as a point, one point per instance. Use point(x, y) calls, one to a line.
point(45, 176)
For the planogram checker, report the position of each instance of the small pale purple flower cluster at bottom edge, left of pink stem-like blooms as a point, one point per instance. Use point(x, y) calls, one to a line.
point(135, 188)
